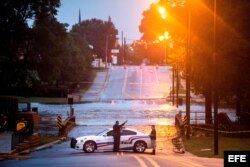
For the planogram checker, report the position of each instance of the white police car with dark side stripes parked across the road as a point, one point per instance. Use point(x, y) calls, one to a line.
point(130, 140)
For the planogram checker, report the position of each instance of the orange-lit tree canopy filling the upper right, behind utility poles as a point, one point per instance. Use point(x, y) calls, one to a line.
point(233, 44)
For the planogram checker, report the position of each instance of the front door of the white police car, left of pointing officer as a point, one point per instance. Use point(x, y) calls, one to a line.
point(107, 141)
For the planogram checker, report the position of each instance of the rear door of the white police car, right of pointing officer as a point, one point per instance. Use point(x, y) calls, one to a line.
point(127, 137)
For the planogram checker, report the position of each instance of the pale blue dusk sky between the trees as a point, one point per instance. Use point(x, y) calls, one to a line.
point(125, 14)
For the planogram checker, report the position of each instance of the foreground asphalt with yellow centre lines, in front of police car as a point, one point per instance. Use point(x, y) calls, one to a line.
point(61, 155)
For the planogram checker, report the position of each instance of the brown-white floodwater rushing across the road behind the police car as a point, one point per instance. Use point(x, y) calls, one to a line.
point(103, 115)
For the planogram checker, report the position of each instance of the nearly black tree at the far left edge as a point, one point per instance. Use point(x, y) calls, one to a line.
point(16, 39)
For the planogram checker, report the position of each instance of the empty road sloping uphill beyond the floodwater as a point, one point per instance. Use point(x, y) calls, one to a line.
point(130, 83)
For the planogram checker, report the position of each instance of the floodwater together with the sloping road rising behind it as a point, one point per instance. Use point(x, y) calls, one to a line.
point(115, 99)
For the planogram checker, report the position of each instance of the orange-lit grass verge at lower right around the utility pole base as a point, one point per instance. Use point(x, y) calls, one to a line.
point(203, 146)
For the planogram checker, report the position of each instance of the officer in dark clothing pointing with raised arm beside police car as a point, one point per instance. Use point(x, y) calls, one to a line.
point(117, 135)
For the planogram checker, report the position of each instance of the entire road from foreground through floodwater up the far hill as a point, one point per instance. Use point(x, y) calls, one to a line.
point(134, 94)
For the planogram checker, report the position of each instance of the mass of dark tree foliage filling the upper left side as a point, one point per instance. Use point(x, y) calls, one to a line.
point(43, 53)
